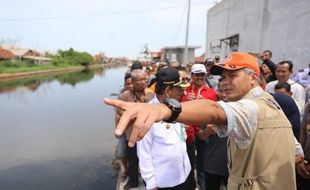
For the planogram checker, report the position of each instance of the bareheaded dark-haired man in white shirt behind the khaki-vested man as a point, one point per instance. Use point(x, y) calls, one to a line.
point(284, 71)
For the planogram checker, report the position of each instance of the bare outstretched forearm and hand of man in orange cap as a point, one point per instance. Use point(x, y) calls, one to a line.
point(144, 115)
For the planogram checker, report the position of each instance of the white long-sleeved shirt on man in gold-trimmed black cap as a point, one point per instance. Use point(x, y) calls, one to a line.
point(163, 158)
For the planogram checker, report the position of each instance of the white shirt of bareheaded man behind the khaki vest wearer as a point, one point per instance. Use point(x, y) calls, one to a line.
point(299, 93)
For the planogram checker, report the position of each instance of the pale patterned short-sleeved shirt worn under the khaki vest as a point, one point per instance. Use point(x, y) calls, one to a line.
point(242, 120)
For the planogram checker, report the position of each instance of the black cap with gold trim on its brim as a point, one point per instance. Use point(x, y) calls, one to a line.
point(170, 76)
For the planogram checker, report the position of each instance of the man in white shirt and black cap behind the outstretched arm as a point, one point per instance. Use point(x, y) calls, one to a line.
point(163, 159)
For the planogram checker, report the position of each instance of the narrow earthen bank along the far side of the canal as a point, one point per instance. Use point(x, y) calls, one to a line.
point(11, 76)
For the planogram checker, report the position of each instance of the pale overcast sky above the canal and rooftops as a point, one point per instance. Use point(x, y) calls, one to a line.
point(115, 27)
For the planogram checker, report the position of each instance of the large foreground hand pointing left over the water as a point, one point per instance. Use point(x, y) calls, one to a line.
point(142, 116)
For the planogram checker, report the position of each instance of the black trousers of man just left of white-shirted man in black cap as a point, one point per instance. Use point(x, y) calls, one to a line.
point(133, 165)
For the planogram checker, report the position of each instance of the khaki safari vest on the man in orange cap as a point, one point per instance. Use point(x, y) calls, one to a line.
point(269, 161)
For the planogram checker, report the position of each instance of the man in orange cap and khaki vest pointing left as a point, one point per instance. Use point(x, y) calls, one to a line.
point(262, 150)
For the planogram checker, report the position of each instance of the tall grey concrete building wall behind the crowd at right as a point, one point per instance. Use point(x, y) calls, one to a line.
point(283, 26)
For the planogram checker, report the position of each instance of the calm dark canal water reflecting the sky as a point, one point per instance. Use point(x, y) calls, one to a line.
point(56, 133)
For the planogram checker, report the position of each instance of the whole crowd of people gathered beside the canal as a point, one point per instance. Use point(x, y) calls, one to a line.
point(236, 124)
